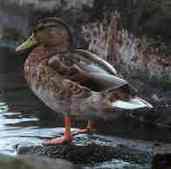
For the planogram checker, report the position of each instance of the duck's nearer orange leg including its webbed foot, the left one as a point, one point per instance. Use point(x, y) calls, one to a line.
point(67, 138)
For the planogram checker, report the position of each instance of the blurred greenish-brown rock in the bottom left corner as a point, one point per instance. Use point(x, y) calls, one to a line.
point(34, 162)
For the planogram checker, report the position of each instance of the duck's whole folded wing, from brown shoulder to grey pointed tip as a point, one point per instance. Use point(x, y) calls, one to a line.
point(88, 70)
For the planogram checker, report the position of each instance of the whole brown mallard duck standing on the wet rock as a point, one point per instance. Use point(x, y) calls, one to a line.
point(71, 81)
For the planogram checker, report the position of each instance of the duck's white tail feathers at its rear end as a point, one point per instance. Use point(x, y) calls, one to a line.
point(132, 104)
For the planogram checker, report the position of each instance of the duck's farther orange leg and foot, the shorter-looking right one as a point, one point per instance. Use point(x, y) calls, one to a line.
point(90, 128)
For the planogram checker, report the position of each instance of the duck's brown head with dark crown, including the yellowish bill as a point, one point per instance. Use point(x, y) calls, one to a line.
point(49, 32)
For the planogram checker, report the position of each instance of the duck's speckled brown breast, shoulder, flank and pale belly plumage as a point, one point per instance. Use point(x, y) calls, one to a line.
point(61, 84)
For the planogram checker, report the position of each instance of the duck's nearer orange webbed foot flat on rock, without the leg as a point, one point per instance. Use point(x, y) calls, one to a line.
point(59, 140)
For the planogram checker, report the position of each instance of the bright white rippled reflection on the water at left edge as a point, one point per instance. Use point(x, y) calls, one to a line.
point(15, 129)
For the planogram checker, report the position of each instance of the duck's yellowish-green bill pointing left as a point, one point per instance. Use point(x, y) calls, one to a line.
point(29, 43)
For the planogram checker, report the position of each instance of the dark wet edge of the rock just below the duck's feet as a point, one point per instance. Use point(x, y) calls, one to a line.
point(86, 154)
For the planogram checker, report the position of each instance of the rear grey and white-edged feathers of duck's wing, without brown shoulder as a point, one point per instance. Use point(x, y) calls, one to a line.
point(101, 74)
